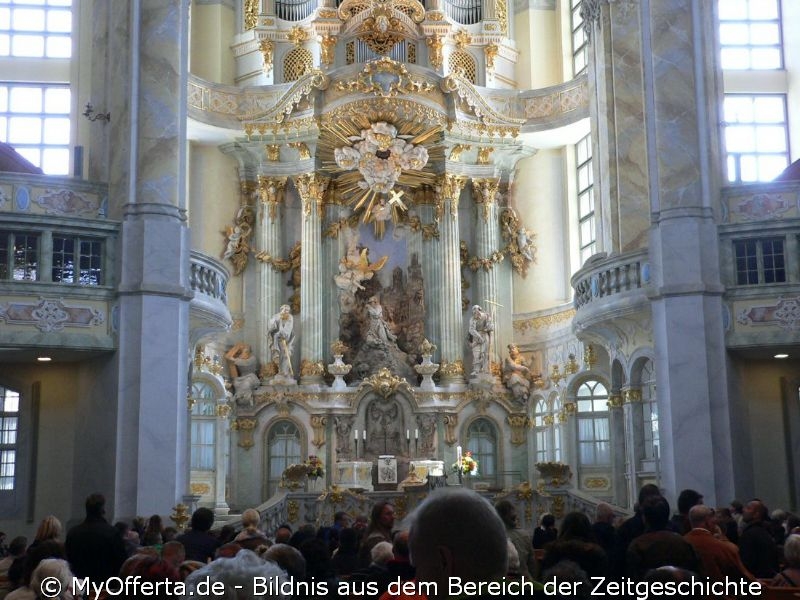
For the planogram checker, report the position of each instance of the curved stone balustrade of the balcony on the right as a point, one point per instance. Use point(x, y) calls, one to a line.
point(603, 277)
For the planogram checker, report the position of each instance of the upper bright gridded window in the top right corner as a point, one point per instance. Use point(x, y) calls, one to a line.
point(750, 34)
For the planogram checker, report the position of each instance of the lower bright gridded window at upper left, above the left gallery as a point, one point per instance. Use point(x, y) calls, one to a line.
point(34, 119)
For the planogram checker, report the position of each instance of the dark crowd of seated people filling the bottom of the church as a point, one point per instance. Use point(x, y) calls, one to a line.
point(357, 556)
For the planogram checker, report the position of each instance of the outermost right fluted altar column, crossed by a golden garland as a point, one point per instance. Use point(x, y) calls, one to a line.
point(487, 243)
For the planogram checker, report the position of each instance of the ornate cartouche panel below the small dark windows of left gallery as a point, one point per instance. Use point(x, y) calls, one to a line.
point(50, 315)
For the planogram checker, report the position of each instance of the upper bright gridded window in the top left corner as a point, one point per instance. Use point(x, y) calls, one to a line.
point(36, 28)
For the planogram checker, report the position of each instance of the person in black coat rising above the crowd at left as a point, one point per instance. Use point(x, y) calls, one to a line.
point(95, 548)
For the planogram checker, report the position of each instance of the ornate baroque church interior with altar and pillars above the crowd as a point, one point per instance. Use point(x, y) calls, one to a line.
point(556, 241)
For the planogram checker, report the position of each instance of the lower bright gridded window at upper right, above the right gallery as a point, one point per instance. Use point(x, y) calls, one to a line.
point(756, 136)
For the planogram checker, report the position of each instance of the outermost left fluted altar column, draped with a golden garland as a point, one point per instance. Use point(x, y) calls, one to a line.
point(269, 245)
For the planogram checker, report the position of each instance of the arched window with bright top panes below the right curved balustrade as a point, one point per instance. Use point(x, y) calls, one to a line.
point(594, 442)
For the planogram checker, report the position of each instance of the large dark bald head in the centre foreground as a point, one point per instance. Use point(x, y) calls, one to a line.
point(455, 532)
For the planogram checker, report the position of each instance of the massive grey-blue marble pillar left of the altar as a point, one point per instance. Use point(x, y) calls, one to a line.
point(147, 71)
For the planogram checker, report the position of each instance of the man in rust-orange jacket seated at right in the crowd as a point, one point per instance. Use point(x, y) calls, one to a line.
point(718, 558)
